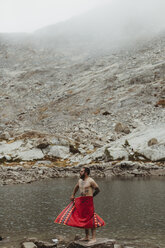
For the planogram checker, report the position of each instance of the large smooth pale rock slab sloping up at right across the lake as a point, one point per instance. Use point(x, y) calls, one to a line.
point(135, 146)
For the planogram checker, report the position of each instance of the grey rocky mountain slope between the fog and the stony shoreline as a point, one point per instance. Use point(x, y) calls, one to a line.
point(91, 98)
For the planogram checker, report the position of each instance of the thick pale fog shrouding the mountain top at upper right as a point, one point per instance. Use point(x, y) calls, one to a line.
point(113, 24)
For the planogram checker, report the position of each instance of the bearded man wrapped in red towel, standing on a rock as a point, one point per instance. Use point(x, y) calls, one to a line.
point(80, 212)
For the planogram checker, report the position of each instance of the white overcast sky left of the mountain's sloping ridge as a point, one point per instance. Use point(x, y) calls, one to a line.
point(29, 15)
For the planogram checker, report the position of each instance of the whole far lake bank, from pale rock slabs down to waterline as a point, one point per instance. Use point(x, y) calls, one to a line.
point(34, 156)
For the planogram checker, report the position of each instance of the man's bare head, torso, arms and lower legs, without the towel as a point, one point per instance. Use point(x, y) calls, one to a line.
point(87, 187)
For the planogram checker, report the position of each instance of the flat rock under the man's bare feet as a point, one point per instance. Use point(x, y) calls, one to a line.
point(100, 243)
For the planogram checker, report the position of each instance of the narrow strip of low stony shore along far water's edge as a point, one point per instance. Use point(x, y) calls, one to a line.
point(26, 174)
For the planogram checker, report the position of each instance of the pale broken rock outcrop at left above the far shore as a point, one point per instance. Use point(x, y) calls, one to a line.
point(32, 149)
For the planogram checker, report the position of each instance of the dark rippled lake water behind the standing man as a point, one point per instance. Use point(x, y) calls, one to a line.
point(134, 209)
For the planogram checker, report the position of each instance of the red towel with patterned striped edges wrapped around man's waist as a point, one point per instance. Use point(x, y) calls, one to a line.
point(80, 213)
